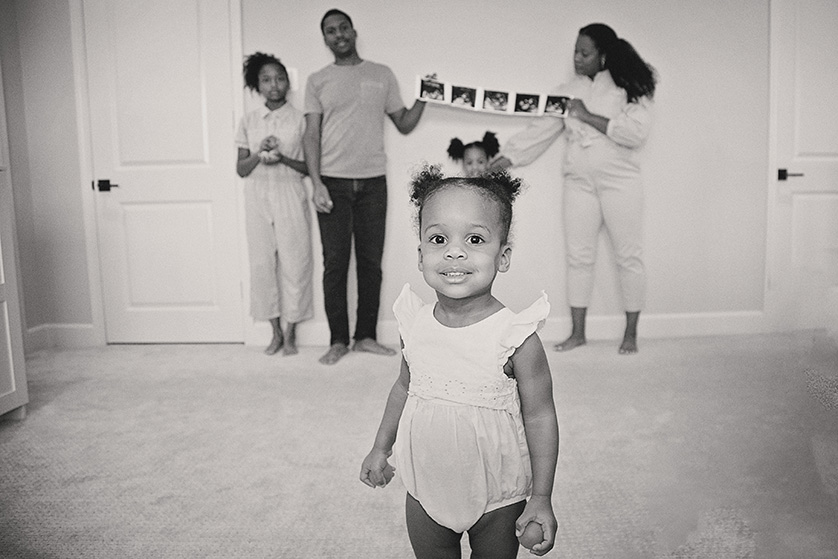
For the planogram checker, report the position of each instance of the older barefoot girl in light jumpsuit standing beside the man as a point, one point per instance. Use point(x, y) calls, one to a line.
point(277, 216)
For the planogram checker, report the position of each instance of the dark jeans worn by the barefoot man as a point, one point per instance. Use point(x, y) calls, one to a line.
point(359, 211)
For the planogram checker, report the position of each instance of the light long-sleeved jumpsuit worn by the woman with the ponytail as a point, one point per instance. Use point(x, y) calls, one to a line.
point(602, 183)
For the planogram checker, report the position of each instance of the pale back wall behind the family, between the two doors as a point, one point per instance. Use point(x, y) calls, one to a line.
point(704, 165)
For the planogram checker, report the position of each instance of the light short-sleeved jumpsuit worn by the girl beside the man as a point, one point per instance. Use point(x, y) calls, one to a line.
point(277, 219)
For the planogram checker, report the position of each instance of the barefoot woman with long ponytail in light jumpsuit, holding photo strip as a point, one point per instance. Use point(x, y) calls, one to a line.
point(608, 121)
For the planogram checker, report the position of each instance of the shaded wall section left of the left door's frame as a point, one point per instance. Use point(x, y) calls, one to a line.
point(45, 164)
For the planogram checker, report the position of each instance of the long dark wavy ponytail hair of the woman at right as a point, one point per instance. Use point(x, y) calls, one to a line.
point(628, 70)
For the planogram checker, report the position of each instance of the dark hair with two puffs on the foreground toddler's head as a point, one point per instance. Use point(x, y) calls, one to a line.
point(498, 186)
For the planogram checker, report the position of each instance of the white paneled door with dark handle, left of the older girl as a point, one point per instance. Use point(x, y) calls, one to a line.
point(160, 86)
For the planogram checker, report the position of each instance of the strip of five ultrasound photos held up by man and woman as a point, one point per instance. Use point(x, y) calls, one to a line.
point(497, 101)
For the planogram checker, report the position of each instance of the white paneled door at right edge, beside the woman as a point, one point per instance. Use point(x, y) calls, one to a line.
point(802, 290)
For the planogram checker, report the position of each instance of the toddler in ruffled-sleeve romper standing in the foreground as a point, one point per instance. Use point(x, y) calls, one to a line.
point(473, 403)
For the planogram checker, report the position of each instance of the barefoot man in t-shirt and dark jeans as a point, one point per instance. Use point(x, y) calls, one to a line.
point(345, 106)
